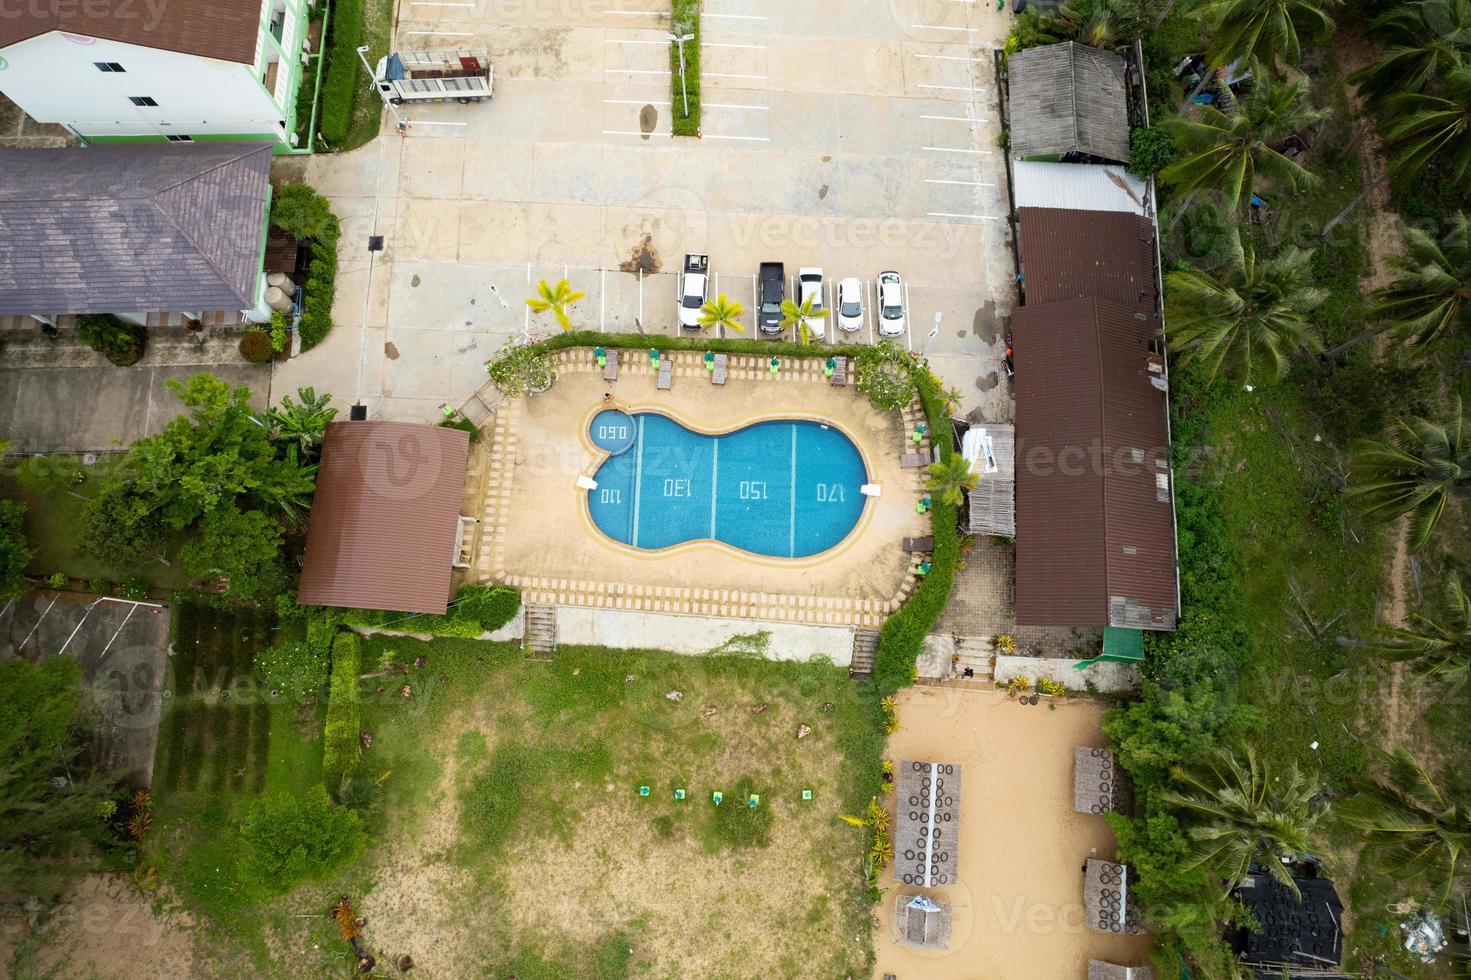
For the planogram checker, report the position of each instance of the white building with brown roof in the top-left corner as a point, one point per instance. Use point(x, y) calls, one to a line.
point(177, 71)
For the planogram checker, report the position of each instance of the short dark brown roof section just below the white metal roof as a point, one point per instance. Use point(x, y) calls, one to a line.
point(1082, 254)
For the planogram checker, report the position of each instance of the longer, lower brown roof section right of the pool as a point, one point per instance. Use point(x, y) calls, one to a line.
point(1095, 529)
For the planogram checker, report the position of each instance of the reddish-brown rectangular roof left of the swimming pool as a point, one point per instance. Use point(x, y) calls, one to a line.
point(386, 519)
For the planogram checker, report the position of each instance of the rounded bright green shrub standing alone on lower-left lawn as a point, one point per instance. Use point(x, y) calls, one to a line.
point(293, 838)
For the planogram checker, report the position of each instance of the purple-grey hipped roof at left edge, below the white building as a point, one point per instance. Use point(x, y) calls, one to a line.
point(143, 227)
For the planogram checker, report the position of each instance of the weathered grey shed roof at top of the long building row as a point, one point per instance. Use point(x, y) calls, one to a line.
point(1069, 98)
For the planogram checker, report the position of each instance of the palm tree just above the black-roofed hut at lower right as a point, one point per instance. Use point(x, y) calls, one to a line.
point(1239, 814)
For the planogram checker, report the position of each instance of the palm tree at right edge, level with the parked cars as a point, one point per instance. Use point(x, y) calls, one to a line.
point(1433, 291)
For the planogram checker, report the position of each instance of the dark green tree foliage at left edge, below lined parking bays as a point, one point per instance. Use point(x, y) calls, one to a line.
point(43, 831)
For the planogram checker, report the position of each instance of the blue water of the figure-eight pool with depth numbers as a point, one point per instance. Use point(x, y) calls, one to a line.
point(786, 489)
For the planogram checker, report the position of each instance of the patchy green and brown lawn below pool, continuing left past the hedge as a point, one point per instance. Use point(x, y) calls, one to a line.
point(513, 839)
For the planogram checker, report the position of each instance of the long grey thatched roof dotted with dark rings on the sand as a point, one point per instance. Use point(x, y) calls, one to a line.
point(927, 804)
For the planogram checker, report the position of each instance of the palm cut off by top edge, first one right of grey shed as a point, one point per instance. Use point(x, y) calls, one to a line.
point(1264, 30)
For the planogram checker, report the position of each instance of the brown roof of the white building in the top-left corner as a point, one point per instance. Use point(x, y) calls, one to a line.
point(226, 30)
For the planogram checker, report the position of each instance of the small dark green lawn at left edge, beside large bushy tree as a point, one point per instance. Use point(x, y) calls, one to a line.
point(55, 517)
